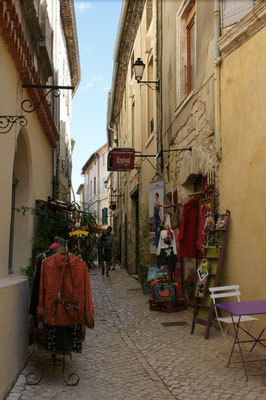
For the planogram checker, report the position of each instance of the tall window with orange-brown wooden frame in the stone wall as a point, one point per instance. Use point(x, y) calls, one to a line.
point(185, 49)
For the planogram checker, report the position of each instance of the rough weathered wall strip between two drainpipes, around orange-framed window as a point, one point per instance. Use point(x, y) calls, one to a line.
point(190, 123)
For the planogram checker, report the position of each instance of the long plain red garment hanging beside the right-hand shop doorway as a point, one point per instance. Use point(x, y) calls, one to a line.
point(189, 229)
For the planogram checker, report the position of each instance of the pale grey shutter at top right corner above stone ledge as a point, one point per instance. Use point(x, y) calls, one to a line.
point(234, 10)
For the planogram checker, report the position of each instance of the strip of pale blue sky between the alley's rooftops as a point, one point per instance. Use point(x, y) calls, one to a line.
point(97, 23)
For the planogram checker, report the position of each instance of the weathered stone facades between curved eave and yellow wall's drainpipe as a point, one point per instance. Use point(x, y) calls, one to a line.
point(170, 118)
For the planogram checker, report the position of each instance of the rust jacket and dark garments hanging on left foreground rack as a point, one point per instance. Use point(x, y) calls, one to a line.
point(65, 275)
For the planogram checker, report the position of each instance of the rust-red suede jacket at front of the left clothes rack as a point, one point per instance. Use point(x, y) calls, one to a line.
point(50, 287)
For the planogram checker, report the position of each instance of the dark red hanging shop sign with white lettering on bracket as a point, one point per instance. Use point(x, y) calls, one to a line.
point(121, 159)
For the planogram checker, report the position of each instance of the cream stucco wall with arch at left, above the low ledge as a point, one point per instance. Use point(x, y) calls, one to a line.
point(33, 158)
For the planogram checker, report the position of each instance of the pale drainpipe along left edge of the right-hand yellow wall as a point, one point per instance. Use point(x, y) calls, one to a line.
point(217, 88)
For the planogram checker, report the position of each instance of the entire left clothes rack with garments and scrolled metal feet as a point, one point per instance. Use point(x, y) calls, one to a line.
point(55, 337)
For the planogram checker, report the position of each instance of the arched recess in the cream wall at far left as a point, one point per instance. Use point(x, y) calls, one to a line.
point(21, 222)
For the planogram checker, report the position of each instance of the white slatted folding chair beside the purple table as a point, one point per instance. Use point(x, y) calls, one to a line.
point(223, 292)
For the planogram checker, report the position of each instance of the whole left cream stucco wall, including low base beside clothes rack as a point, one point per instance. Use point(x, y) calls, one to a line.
point(30, 149)
